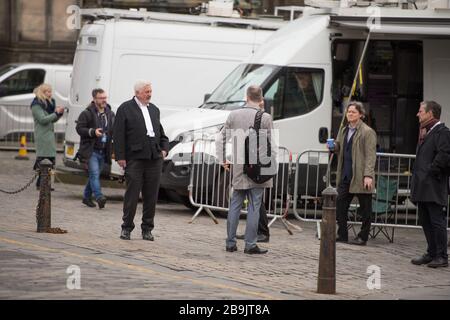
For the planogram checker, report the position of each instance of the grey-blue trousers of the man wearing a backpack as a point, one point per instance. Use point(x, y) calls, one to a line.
point(251, 229)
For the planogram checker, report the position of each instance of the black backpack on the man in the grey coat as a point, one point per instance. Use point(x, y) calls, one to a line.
point(253, 168)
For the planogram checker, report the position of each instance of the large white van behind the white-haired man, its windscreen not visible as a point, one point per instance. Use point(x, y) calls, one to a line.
point(184, 56)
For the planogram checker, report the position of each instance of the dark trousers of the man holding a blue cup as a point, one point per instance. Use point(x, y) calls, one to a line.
point(343, 201)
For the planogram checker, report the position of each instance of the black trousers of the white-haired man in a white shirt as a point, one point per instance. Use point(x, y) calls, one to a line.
point(141, 176)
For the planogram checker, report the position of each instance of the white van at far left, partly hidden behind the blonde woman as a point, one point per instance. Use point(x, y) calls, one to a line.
point(17, 82)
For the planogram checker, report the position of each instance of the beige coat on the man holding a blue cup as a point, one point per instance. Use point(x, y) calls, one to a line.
point(363, 157)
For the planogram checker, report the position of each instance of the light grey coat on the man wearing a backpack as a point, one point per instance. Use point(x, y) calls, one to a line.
point(236, 128)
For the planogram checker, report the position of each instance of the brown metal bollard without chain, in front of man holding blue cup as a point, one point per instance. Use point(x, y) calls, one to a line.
point(326, 282)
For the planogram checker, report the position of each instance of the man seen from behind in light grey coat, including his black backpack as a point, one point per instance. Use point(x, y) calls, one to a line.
point(247, 168)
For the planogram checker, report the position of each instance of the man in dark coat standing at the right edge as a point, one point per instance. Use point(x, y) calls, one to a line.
point(429, 185)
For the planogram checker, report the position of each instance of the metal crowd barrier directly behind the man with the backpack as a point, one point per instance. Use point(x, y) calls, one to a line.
point(210, 186)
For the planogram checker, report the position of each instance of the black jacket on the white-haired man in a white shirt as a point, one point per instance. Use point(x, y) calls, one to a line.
point(130, 134)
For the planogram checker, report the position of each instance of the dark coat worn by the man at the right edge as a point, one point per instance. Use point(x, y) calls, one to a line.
point(429, 181)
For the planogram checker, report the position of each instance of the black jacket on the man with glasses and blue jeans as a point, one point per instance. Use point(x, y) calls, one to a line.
point(86, 124)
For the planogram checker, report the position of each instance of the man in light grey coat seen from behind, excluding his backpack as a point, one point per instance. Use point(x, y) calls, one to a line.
point(236, 128)
